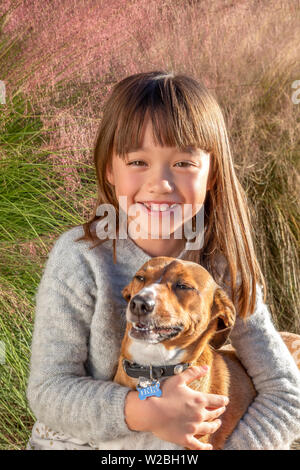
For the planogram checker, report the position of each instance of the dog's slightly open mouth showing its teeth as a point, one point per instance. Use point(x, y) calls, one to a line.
point(153, 332)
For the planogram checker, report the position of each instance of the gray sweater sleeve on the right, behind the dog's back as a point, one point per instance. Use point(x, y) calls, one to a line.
point(272, 421)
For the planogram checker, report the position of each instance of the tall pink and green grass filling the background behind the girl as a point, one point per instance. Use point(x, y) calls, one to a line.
point(59, 63)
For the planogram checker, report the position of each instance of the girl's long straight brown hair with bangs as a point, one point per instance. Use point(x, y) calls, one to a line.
point(183, 112)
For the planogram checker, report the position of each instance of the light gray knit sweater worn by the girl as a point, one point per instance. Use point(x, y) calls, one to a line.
point(79, 325)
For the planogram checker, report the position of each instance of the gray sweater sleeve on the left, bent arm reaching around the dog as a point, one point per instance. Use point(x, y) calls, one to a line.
point(59, 391)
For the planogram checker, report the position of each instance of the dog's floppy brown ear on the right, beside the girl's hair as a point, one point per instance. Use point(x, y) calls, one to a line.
point(223, 310)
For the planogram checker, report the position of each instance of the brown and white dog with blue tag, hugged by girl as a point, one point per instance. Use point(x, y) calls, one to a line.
point(178, 316)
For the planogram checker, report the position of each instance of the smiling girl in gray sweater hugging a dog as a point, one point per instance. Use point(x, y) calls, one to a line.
point(162, 140)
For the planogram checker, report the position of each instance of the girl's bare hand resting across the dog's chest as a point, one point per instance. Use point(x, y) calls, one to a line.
point(181, 413)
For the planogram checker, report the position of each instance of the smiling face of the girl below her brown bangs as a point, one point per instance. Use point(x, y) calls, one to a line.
point(154, 178)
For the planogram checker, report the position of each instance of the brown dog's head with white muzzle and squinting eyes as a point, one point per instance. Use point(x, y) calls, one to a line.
point(175, 301)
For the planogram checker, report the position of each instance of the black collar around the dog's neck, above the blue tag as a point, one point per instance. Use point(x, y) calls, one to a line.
point(136, 370)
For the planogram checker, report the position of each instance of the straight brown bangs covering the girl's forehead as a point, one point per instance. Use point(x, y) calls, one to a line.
point(174, 121)
